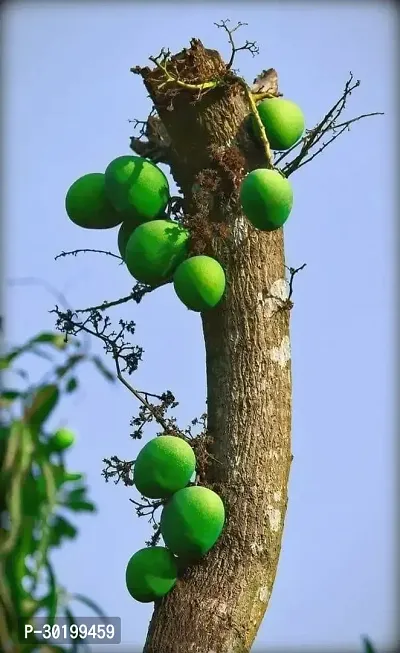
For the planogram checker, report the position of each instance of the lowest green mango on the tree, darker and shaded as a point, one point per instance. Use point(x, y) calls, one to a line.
point(151, 573)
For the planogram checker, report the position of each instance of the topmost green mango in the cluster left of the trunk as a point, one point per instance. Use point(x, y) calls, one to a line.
point(136, 187)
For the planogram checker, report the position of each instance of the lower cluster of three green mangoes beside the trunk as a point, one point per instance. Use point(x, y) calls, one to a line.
point(191, 522)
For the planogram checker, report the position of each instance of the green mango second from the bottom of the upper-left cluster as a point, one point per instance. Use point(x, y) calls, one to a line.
point(155, 249)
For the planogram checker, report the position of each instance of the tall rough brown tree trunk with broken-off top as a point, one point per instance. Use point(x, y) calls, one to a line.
point(218, 604)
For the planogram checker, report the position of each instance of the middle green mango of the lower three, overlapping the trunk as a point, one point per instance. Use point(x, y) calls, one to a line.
point(192, 521)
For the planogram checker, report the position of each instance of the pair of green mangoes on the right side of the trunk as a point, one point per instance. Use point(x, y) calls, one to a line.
point(266, 195)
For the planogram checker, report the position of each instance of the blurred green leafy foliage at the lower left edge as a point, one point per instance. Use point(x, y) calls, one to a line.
point(38, 491)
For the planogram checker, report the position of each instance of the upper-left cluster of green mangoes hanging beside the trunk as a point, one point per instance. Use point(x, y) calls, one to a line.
point(134, 193)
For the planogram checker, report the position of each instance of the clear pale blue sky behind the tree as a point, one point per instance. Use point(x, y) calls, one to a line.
point(68, 96)
